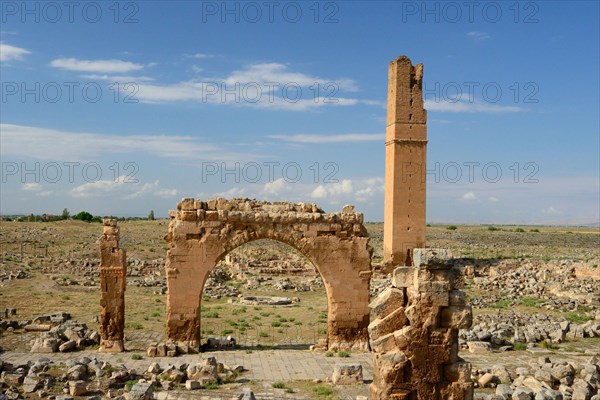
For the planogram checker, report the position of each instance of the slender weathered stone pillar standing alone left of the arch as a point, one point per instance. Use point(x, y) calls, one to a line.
point(113, 268)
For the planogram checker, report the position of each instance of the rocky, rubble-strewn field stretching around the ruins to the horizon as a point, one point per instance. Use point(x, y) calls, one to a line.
point(535, 293)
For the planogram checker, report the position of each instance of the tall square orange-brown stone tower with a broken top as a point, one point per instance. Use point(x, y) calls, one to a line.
point(405, 169)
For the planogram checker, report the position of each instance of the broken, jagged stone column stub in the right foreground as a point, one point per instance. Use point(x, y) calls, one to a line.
point(414, 332)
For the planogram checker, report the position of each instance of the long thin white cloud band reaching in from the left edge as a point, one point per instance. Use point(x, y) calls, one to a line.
point(50, 144)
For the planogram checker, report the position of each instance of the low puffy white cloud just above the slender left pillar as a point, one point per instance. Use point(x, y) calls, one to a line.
point(122, 188)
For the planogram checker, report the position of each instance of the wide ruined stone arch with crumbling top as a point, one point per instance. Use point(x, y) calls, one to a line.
point(202, 233)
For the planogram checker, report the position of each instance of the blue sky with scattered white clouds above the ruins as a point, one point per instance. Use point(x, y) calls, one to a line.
point(120, 108)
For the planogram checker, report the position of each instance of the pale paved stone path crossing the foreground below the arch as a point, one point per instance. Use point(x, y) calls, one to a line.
point(268, 366)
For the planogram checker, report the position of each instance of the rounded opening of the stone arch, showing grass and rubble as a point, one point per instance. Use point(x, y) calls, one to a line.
point(264, 294)
